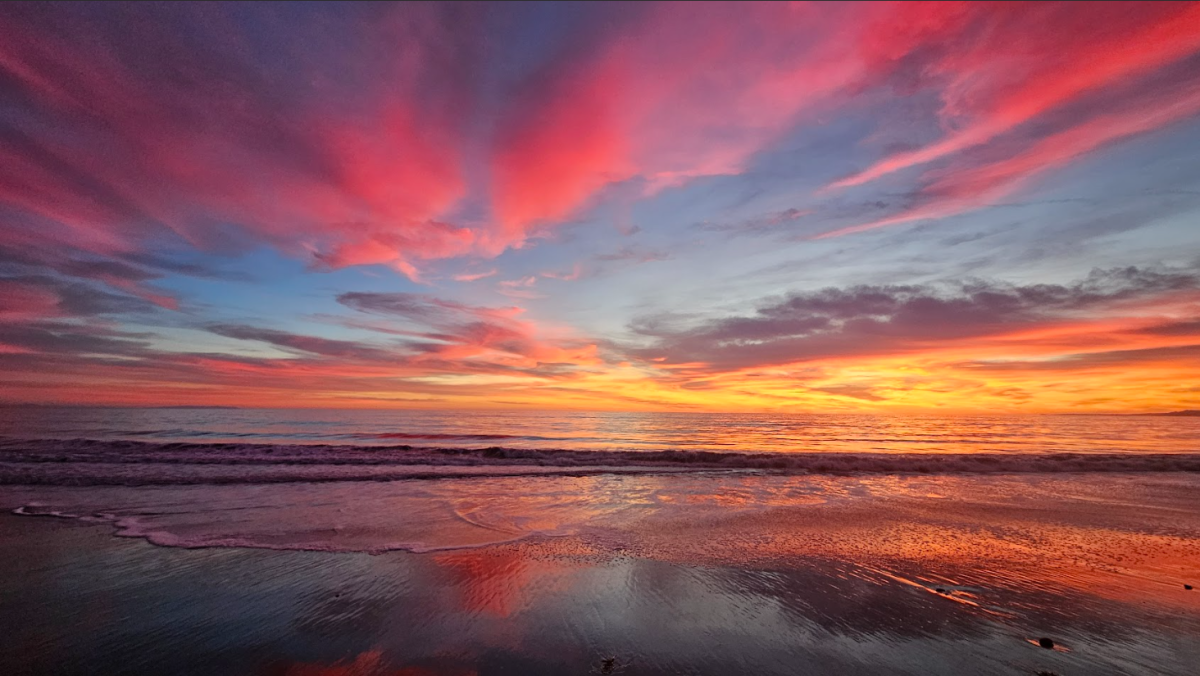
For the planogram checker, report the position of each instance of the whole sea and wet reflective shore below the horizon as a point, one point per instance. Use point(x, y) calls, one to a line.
point(371, 543)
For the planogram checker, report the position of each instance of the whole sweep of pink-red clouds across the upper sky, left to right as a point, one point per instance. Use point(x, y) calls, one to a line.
point(364, 158)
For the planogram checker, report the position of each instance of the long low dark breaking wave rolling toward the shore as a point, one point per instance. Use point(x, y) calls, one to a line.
point(131, 463)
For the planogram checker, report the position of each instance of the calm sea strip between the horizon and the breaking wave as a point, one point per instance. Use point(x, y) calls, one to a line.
point(619, 432)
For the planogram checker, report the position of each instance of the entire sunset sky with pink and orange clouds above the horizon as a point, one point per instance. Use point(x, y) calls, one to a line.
point(868, 207)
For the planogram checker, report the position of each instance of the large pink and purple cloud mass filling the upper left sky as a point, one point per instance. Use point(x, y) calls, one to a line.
point(154, 159)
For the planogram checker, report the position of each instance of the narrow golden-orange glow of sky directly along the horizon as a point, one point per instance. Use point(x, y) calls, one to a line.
point(1036, 373)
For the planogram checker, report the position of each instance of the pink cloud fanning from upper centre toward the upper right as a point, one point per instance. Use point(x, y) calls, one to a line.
point(665, 100)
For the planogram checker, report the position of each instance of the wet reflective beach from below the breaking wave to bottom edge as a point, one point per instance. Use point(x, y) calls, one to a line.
point(700, 576)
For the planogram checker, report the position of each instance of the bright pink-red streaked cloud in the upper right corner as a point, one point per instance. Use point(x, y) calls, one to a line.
point(1021, 62)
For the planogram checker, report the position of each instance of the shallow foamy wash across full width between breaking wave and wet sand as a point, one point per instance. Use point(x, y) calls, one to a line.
point(609, 512)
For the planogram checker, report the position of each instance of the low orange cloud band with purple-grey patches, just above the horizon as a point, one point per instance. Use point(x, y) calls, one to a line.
point(1119, 340)
